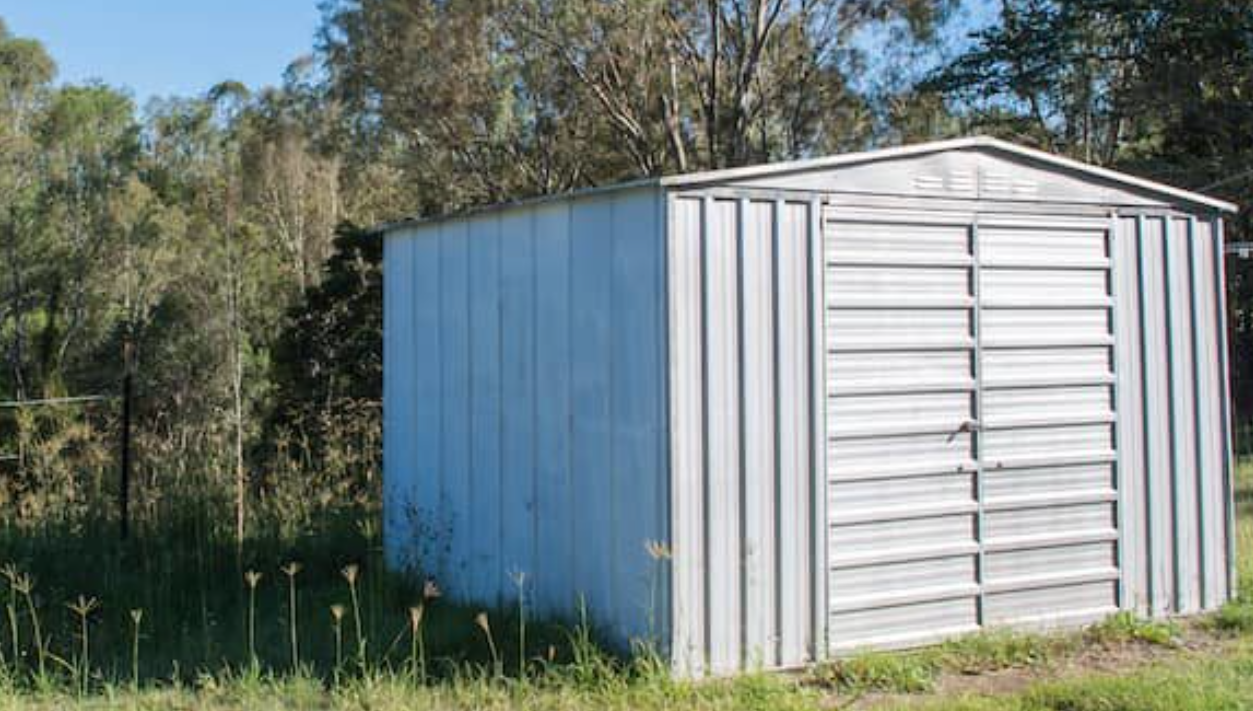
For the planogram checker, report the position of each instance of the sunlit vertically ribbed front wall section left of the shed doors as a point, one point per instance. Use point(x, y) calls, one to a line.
point(742, 421)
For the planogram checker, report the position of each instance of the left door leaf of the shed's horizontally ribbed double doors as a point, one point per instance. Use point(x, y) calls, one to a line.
point(885, 571)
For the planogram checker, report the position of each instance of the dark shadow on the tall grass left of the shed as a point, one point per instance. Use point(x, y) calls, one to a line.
point(189, 580)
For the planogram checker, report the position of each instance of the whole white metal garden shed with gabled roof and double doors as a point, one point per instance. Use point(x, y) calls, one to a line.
point(868, 401)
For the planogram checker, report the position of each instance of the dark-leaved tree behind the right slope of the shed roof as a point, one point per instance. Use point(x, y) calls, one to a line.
point(1162, 88)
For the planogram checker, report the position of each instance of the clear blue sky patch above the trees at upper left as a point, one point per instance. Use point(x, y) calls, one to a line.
point(160, 48)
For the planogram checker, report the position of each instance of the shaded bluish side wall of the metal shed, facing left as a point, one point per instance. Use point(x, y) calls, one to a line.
point(526, 407)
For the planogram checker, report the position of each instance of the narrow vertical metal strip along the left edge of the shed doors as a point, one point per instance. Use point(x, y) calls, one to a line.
point(819, 432)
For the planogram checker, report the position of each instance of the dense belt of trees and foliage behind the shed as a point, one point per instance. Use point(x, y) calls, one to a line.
point(207, 244)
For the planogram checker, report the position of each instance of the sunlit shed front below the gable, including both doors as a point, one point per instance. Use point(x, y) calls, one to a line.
point(978, 393)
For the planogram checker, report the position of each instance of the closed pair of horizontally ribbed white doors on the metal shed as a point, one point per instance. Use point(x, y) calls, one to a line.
point(972, 468)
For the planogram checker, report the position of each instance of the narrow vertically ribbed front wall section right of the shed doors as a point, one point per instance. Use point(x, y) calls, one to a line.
point(1176, 436)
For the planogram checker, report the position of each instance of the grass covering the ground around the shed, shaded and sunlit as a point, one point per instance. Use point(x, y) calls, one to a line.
point(170, 621)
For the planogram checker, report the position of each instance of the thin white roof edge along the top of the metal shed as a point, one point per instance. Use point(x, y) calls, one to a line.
point(846, 160)
